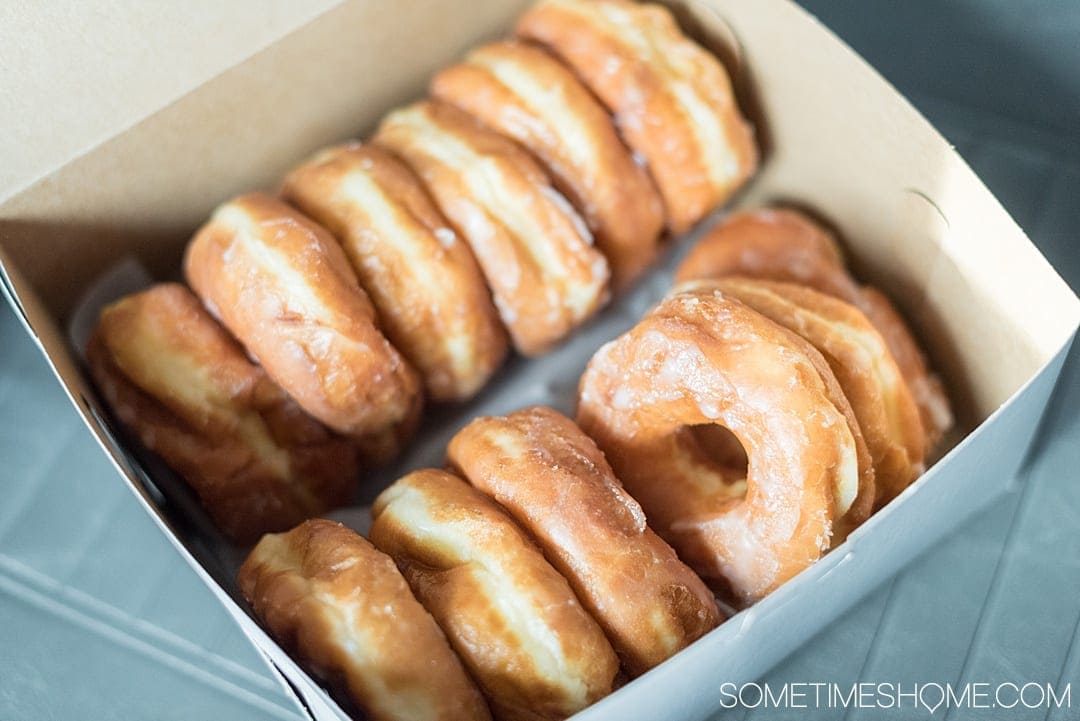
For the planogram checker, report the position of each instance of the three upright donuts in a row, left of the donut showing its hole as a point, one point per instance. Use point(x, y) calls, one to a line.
point(522, 583)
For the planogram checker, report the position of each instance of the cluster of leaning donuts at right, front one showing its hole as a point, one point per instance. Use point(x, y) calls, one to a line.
point(766, 407)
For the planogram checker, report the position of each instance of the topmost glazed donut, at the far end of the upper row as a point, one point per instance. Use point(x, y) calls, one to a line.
point(671, 99)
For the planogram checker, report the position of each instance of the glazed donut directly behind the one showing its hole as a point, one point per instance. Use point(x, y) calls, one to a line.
point(861, 361)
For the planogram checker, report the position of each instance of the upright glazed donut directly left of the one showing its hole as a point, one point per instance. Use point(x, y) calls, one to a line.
point(551, 478)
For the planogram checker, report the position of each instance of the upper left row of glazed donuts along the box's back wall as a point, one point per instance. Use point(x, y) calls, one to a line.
point(407, 267)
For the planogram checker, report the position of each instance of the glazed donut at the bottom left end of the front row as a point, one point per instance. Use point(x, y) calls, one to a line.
point(345, 609)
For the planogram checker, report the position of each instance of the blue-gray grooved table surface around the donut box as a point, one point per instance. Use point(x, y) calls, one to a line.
point(101, 619)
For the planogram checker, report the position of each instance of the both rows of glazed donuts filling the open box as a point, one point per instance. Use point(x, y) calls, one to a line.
point(758, 416)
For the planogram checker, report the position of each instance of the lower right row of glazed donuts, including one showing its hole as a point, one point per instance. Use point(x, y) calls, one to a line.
point(755, 423)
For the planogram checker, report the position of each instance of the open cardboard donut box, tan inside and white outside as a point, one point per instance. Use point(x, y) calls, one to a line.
point(836, 140)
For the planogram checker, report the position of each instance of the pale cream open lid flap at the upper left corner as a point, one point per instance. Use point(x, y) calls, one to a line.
point(75, 75)
